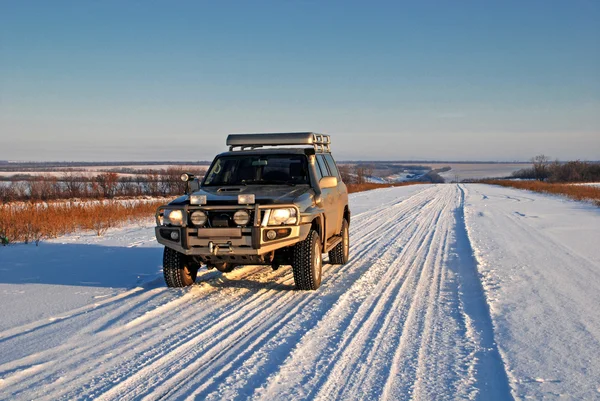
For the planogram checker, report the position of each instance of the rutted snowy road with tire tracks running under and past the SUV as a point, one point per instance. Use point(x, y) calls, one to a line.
point(387, 323)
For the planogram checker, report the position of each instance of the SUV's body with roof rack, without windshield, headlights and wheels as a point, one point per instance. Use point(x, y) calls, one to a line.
point(322, 204)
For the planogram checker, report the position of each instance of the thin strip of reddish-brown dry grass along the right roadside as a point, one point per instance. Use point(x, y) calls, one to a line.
point(577, 192)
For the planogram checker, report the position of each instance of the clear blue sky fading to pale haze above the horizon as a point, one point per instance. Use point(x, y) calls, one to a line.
point(162, 80)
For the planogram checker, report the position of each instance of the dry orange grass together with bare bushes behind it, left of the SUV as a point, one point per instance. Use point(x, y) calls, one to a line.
point(35, 208)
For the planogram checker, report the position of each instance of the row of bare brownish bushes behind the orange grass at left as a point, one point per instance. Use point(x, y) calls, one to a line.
point(106, 185)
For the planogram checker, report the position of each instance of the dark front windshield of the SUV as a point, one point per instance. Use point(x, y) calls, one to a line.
point(258, 170)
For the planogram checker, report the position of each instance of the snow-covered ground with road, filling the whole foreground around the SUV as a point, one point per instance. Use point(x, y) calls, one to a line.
point(470, 291)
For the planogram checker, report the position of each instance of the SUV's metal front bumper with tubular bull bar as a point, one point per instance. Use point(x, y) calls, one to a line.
point(228, 243)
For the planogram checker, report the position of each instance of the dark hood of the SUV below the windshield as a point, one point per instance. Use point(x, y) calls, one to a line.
point(265, 194)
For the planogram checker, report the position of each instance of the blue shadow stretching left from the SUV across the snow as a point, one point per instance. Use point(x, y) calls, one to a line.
point(84, 265)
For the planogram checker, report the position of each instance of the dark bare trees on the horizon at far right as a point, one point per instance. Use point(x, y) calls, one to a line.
point(574, 171)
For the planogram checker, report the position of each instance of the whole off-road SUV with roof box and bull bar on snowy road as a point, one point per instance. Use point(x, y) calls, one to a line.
point(281, 205)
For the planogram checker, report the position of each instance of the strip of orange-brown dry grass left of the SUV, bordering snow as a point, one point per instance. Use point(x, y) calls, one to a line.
point(33, 222)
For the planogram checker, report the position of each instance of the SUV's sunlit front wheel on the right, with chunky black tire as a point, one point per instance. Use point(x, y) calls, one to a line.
point(307, 263)
